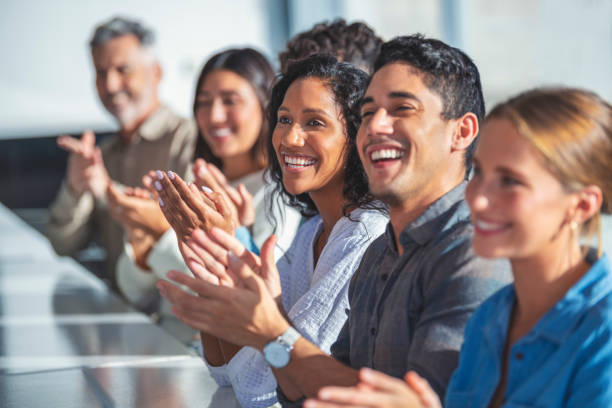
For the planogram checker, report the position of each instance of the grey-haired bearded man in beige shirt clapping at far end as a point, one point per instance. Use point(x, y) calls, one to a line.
point(150, 135)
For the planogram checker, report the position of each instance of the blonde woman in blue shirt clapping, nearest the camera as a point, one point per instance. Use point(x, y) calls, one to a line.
point(541, 182)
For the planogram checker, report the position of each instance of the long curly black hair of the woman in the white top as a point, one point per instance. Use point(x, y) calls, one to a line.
point(347, 84)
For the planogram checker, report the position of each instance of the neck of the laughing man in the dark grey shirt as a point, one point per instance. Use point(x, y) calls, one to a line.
point(405, 212)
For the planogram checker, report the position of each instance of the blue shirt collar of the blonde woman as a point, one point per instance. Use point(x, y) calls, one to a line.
point(559, 322)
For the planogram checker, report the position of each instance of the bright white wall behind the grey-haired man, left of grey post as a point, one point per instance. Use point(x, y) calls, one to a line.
point(46, 75)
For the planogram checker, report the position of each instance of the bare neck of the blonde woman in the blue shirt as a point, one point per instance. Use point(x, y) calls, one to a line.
point(541, 280)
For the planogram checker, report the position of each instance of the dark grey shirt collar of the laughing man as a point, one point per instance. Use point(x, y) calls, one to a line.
point(441, 215)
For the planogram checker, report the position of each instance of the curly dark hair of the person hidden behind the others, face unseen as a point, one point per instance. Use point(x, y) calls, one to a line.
point(356, 43)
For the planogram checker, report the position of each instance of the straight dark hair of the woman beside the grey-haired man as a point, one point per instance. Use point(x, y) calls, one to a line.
point(256, 69)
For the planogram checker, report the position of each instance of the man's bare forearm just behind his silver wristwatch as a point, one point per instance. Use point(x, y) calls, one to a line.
point(311, 369)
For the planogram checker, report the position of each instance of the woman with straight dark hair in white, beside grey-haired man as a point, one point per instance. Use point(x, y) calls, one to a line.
point(229, 107)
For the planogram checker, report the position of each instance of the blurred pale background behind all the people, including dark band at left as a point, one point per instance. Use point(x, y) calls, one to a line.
point(47, 80)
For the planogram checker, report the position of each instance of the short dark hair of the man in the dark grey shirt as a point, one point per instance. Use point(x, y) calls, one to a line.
point(447, 71)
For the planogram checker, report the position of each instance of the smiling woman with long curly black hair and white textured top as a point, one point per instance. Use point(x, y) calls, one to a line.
point(313, 163)
